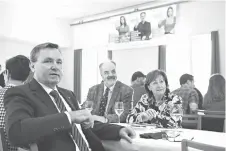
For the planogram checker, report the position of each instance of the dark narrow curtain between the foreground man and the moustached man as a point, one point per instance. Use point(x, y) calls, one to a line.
point(78, 73)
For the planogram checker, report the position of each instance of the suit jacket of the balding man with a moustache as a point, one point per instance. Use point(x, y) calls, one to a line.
point(121, 92)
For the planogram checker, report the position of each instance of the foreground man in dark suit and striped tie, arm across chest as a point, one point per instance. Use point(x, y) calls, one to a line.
point(41, 112)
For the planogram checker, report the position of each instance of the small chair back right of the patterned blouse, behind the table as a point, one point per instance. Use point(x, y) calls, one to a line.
point(190, 121)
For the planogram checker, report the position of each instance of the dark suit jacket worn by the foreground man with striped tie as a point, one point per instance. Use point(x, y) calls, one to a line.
point(31, 117)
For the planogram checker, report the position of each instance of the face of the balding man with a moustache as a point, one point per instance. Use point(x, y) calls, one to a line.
point(108, 74)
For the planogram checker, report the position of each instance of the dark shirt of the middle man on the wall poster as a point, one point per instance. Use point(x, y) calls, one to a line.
point(144, 29)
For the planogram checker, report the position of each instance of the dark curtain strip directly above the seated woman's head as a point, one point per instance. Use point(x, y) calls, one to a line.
point(162, 57)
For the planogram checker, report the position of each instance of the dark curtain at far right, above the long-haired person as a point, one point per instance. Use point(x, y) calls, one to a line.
point(215, 57)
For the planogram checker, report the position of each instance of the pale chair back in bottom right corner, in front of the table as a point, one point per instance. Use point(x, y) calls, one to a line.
point(200, 146)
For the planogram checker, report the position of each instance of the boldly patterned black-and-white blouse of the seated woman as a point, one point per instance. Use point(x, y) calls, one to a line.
point(158, 113)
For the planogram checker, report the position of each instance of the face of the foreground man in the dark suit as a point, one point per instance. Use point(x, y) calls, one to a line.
point(48, 67)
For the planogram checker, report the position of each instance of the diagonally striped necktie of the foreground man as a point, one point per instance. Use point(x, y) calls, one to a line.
point(75, 132)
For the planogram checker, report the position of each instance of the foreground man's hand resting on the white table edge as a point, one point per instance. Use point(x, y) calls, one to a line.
point(127, 133)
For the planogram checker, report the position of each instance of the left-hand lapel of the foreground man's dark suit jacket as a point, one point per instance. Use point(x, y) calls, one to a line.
point(42, 95)
